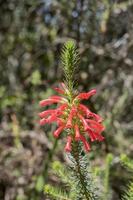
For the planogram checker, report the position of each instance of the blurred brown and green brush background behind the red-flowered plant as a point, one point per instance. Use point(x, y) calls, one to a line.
point(31, 36)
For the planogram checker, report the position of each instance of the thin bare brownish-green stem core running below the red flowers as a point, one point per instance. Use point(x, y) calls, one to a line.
point(79, 171)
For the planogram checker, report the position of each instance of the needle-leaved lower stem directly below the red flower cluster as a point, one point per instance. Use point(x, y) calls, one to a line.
point(85, 186)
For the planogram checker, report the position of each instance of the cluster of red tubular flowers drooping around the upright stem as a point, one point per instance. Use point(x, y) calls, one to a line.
point(71, 114)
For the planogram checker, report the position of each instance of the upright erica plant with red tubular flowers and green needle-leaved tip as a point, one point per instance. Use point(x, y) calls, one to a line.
point(74, 120)
